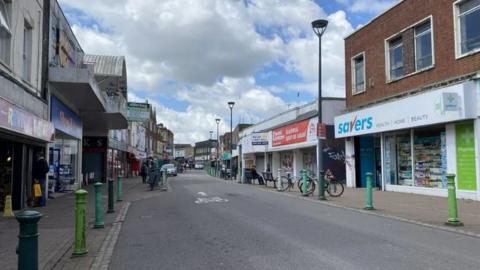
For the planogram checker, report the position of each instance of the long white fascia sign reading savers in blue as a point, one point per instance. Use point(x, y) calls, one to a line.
point(453, 103)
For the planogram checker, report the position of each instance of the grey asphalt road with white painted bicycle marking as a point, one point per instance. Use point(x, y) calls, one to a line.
point(204, 223)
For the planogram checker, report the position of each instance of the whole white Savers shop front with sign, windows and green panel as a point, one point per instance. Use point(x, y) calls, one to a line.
point(418, 145)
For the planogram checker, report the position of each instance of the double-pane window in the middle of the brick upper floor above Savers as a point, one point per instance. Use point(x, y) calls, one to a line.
point(410, 51)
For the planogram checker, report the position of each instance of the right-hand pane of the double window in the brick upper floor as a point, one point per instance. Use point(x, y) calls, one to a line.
point(423, 46)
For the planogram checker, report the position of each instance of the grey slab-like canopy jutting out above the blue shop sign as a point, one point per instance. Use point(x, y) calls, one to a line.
point(78, 86)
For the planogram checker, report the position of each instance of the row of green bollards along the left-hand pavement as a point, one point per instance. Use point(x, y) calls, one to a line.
point(27, 248)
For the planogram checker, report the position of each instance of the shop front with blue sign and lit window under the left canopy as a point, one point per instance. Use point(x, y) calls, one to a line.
point(64, 153)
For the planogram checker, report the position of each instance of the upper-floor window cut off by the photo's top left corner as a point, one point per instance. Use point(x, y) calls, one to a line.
point(5, 31)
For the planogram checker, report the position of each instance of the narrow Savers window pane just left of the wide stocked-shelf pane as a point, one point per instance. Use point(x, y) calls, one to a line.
point(404, 158)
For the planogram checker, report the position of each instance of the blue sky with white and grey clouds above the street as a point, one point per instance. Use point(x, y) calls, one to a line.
point(190, 57)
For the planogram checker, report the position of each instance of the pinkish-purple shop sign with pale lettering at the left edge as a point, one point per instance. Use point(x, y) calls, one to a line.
point(15, 119)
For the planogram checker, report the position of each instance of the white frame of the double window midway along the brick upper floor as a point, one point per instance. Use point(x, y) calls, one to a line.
point(399, 34)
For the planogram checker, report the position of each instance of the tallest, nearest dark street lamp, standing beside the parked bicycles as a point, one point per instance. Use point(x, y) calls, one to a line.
point(319, 27)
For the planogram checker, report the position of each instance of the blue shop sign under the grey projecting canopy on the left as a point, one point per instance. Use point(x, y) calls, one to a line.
point(65, 120)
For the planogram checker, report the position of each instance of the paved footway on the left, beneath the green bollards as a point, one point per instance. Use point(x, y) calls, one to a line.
point(56, 229)
